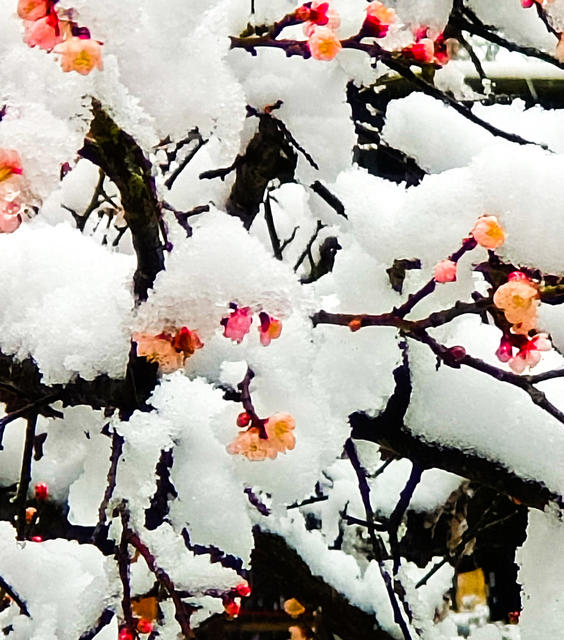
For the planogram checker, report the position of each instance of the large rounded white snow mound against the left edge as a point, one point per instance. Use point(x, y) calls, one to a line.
point(44, 271)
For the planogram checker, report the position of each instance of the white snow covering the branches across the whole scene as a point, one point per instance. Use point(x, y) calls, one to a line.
point(66, 302)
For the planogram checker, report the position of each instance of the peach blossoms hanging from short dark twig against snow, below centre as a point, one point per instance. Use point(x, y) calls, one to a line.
point(263, 438)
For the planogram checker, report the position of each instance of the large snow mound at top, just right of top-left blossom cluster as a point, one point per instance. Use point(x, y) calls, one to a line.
point(182, 49)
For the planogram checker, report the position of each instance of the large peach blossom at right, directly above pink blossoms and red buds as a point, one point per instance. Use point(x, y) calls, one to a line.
point(518, 299)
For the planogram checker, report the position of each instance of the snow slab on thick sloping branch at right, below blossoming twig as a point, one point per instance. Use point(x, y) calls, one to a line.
point(467, 409)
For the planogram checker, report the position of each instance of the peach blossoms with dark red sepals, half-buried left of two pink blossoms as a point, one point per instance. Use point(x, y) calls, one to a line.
point(169, 350)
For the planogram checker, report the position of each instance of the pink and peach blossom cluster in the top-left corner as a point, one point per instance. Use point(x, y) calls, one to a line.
point(53, 30)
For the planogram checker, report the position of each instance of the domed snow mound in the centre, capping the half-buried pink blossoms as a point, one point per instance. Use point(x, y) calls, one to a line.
point(220, 264)
